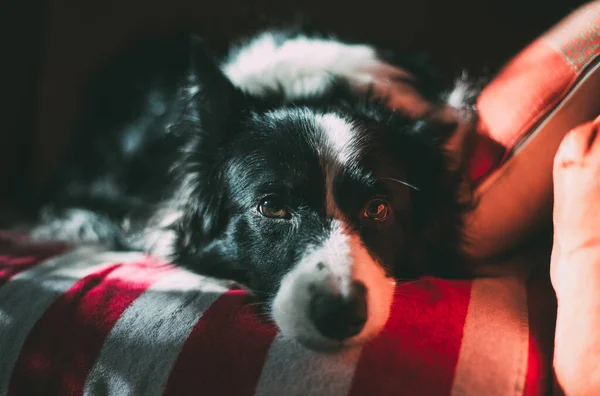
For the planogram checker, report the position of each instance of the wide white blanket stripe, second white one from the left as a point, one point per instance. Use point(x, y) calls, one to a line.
point(138, 354)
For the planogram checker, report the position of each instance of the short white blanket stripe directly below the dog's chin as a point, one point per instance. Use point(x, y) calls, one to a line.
point(291, 369)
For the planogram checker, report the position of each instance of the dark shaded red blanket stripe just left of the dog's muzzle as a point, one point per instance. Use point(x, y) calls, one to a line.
point(225, 351)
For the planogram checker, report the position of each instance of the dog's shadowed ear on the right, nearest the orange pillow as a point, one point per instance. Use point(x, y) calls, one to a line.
point(437, 165)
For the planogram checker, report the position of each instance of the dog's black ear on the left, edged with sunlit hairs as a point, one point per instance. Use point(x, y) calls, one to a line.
point(211, 118)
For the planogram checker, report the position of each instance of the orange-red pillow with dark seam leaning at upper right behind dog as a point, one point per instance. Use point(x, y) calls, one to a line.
point(548, 89)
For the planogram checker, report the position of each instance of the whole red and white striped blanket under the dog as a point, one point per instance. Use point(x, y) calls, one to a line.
point(86, 321)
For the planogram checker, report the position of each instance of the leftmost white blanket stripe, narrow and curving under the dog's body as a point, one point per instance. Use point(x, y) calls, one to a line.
point(25, 298)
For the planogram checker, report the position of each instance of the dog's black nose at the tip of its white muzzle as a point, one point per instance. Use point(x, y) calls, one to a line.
point(340, 317)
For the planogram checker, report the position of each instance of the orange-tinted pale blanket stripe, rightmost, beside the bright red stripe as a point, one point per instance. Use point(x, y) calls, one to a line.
point(493, 353)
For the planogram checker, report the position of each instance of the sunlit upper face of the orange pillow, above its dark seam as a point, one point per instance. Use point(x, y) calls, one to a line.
point(540, 76)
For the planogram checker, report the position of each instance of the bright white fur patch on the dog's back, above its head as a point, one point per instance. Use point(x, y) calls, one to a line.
point(302, 66)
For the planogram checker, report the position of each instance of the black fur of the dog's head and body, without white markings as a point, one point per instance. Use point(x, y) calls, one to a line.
point(167, 146)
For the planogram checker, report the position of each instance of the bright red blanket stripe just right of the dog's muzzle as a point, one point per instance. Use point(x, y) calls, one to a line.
point(418, 350)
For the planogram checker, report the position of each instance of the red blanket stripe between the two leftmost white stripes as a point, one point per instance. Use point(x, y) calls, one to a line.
point(65, 342)
